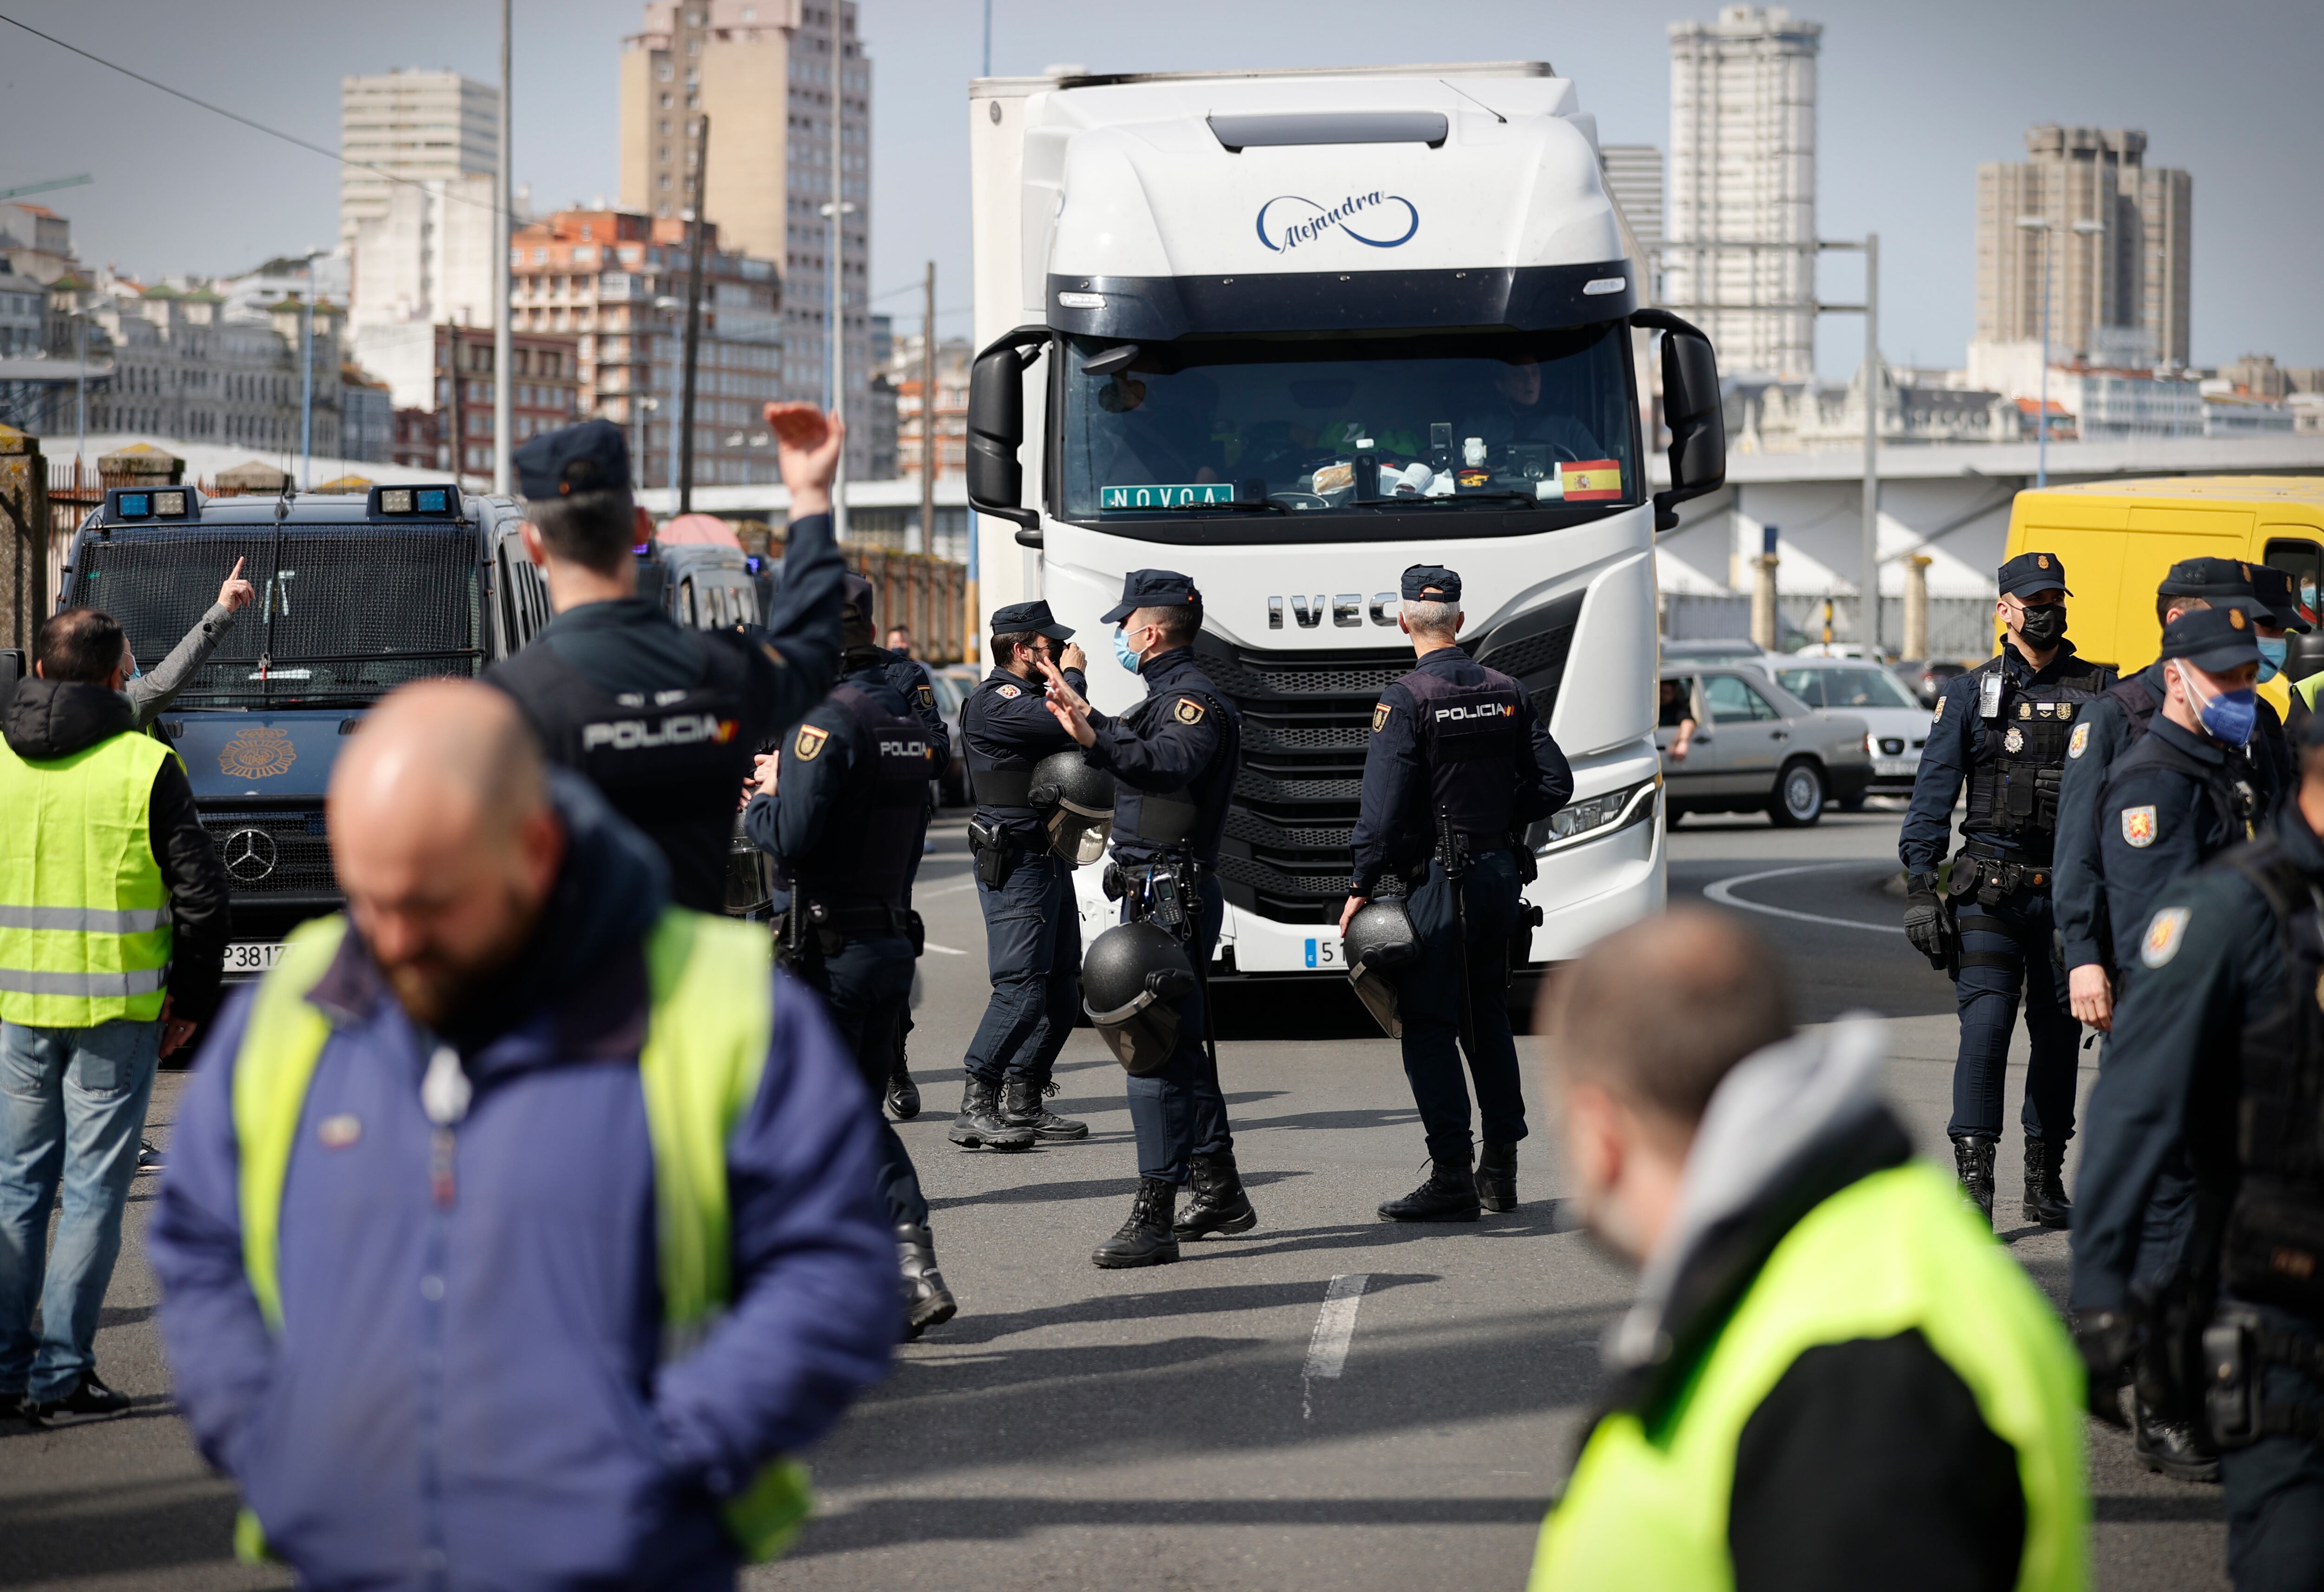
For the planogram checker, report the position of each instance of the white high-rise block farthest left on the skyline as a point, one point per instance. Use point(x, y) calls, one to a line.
point(410, 124)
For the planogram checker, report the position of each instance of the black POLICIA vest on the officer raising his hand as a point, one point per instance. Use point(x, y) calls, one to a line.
point(668, 761)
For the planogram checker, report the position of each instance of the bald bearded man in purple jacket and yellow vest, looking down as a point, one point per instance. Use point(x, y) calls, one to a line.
point(419, 1344)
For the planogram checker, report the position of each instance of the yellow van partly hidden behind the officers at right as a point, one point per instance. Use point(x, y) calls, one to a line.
point(2121, 538)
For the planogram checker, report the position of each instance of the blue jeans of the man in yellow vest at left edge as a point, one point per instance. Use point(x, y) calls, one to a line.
point(71, 1110)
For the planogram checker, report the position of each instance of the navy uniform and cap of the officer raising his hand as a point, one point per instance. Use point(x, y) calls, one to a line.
point(666, 719)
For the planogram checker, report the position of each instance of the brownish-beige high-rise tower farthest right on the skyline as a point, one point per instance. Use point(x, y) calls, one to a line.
point(2118, 248)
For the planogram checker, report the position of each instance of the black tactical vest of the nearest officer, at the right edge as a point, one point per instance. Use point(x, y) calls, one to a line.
point(2274, 1247)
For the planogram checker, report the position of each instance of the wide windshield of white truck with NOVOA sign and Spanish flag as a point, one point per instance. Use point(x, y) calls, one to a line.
point(1333, 424)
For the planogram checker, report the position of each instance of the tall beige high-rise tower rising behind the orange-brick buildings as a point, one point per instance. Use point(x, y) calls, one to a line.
point(763, 73)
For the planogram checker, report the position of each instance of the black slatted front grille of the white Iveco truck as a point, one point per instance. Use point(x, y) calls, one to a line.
point(1307, 722)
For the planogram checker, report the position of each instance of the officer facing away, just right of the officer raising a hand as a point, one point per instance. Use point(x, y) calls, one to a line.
point(845, 808)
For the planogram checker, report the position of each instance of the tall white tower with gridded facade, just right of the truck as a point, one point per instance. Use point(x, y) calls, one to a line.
point(1744, 178)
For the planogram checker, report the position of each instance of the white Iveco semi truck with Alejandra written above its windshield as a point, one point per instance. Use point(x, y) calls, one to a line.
point(1291, 334)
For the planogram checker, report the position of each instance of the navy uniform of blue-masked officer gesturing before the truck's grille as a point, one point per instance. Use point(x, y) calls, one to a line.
point(1172, 759)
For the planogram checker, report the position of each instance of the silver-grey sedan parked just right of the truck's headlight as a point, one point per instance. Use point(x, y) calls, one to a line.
point(1760, 750)
